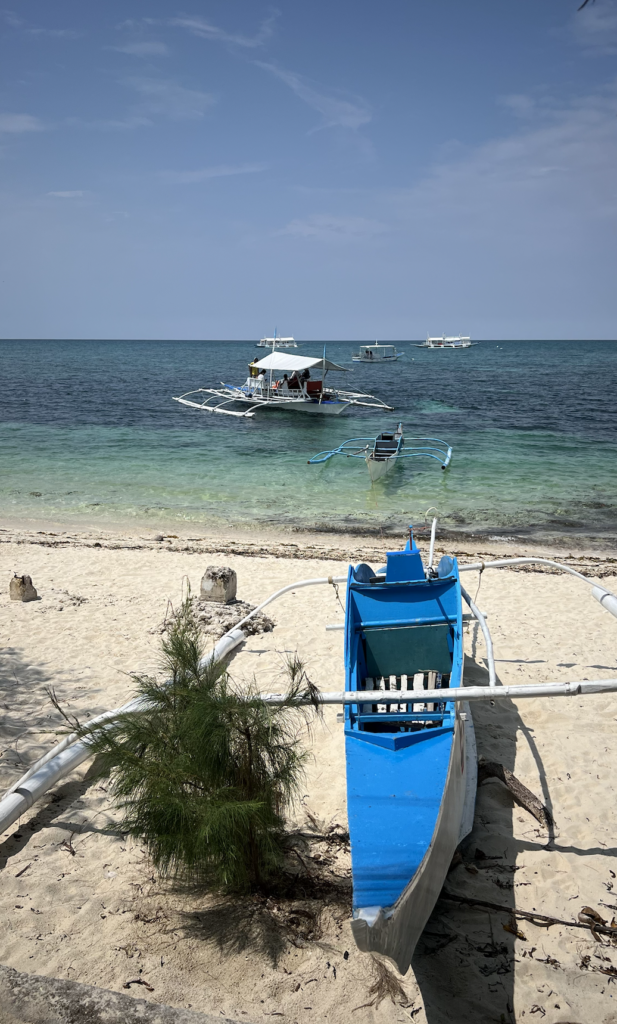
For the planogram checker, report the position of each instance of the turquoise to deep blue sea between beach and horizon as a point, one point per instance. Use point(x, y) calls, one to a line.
point(89, 432)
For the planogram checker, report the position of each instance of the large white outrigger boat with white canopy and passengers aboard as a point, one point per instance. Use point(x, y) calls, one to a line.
point(282, 381)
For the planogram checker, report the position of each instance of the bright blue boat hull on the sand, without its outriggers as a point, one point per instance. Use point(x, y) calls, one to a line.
point(411, 766)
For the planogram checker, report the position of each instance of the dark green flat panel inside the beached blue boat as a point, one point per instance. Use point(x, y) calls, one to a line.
point(406, 651)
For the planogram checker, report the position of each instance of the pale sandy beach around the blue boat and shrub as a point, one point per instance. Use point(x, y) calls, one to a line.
point(80, 902)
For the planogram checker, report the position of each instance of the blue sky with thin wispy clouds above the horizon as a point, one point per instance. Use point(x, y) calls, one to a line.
point(336, 170)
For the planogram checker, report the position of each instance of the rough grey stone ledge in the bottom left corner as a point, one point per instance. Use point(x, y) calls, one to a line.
point(31, 999)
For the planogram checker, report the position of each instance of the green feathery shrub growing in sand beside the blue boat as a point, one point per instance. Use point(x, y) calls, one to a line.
point(204, 773)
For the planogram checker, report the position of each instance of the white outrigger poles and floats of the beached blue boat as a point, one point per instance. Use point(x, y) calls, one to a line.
point(71, 752)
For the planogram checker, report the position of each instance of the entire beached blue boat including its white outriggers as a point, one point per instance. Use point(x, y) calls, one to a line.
point(409, 733)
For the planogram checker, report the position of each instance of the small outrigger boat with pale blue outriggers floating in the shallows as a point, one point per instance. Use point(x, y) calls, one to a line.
point(382, 453)
